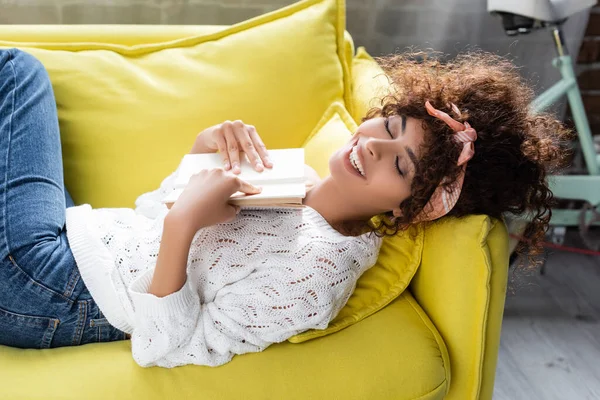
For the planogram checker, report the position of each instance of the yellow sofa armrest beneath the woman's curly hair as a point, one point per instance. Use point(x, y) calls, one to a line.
point(461, 285)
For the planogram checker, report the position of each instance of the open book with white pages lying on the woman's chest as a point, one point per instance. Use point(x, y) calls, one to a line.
point(282, 186)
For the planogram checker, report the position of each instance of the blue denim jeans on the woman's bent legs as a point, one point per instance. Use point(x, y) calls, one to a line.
point(43, 300)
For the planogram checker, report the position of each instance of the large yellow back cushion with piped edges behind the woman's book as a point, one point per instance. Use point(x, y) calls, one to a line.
point(128, 113)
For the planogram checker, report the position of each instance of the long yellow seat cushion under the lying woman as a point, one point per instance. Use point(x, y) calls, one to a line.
point(394, 354)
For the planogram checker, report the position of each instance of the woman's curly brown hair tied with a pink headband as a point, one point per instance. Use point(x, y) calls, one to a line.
point(514, 152)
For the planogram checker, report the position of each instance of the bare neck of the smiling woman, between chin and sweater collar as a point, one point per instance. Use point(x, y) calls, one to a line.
point(328, 201)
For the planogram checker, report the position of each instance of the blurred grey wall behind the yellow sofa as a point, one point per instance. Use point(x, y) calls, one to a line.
point(381, 25)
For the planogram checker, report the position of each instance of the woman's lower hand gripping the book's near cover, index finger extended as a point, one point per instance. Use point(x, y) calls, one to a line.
point(205, 200)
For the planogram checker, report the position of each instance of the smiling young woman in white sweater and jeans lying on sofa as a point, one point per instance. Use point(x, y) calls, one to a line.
point(201, 281)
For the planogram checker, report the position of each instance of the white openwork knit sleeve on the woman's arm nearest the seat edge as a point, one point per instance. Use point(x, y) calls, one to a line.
point(267, 306)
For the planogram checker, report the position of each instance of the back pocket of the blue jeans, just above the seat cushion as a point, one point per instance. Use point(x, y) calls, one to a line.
point(26, 331)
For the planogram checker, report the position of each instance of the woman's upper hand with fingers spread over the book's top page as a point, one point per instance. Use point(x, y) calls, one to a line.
point(231, 139)
